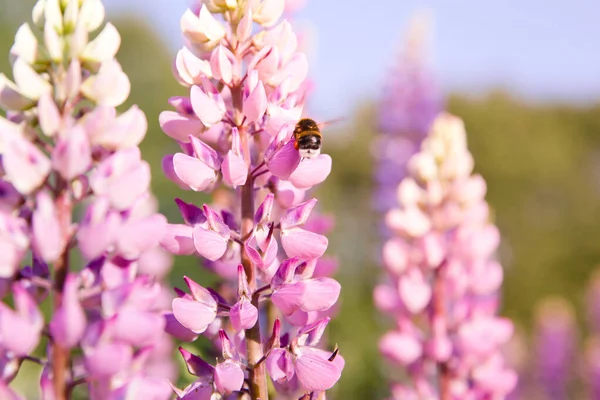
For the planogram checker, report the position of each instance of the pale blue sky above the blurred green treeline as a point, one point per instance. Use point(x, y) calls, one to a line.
point(543, 50)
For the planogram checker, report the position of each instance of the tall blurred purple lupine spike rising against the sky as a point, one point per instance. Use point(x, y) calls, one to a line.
point(409, 104)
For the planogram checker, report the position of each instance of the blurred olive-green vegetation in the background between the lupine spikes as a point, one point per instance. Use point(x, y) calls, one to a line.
point(541, 161)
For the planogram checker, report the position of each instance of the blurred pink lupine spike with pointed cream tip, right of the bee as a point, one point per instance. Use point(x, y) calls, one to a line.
point(443, 284)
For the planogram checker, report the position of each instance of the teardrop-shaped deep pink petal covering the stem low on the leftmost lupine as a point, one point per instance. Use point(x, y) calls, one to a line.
point(68, 322)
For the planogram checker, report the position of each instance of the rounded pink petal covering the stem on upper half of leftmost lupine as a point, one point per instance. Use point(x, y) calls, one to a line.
point(72, 154)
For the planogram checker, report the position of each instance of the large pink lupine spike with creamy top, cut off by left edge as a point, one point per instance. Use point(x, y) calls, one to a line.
point(64, 146)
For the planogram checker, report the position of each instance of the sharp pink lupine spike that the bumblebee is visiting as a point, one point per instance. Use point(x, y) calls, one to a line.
point(246, 81)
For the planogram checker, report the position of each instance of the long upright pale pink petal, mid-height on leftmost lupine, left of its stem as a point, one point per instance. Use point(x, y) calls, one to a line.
point(47, 238)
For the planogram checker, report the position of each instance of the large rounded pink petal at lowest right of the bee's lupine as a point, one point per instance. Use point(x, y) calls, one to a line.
point(315, 372)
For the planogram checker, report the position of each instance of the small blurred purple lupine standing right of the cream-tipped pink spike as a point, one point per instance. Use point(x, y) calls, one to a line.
point(555, 347)
